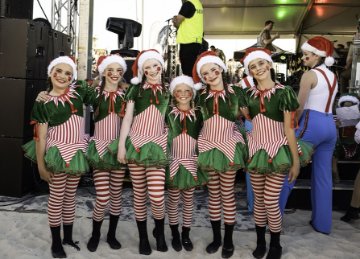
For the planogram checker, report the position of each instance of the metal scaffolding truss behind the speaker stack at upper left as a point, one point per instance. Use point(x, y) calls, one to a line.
point(64, 15)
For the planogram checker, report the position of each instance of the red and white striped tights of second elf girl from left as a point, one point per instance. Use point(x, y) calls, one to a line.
point(108, 187)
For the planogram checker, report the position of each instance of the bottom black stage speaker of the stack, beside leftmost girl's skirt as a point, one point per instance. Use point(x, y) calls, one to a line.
point(17, 173)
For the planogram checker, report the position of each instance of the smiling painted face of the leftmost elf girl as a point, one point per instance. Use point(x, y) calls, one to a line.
point(61, 76)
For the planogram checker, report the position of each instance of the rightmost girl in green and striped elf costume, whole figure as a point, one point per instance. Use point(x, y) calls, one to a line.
point(273, 149)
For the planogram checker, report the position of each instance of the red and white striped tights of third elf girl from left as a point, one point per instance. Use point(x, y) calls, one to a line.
point(150, 180)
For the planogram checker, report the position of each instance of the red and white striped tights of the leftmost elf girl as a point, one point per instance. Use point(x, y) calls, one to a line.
point(61, 203)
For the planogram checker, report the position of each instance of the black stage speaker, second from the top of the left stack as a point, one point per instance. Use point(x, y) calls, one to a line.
point(27, 53)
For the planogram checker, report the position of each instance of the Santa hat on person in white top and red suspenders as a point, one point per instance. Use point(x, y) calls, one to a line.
point(321, 47)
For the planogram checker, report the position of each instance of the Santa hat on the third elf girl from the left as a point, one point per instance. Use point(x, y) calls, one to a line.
point(137, 67)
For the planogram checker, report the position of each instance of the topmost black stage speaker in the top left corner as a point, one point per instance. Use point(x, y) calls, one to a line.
point(22, 9)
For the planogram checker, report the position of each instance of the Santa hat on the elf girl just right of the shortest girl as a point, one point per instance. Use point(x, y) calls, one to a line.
point(205, 58)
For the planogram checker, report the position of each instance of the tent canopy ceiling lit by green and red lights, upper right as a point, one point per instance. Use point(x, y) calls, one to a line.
point(292, 17)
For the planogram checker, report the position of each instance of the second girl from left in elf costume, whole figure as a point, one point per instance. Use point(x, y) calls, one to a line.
point(108, 174)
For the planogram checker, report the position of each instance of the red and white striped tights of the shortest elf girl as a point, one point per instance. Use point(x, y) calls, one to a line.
point(173, 206)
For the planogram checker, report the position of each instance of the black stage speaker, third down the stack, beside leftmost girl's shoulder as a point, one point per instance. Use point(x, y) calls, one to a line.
point(17, 102)
